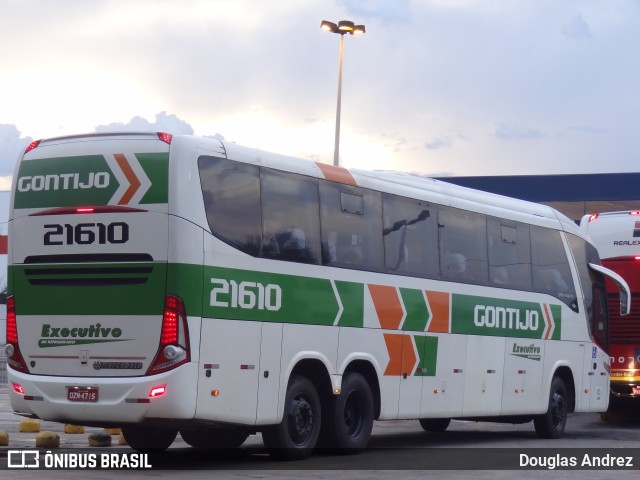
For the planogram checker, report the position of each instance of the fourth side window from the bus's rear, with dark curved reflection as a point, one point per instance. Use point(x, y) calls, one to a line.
point(410, 236)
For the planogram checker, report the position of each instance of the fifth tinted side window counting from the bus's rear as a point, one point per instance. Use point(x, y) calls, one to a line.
point(463, 245)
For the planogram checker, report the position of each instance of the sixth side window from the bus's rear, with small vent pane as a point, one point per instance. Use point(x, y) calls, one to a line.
point(509, 254)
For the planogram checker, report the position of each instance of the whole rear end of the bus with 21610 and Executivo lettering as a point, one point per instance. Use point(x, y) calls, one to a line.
point(90, 320)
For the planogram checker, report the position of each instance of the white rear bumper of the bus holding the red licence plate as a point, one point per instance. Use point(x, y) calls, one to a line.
point(106, 401)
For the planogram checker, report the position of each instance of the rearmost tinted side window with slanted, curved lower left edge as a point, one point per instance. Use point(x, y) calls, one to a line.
point(231, 192)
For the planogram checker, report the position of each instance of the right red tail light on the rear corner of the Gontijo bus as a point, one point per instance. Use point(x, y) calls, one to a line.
point(174, 337)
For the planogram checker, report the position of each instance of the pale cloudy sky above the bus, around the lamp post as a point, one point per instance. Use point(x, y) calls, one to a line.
point(440, 87)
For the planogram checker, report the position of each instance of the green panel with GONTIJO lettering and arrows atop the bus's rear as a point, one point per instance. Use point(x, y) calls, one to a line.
point(109, 179)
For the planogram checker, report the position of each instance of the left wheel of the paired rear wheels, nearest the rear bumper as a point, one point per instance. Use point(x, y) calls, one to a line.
point(297, 435)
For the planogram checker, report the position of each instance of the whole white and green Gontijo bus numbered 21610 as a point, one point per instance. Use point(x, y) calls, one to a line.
point(171, 284)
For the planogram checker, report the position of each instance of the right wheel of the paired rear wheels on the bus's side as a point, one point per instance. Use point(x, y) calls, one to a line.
point(347, 429)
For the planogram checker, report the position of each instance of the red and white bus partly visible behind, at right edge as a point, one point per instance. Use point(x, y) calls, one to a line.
point(617, 237)
